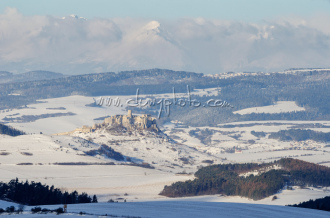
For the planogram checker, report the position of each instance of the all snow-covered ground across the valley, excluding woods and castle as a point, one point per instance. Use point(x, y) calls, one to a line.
point(54, 154)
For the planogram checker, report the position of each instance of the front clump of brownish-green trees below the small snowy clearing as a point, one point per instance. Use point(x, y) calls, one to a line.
point(229, 183)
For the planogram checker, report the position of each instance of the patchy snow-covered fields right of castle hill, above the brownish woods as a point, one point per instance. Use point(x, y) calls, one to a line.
point(254, 149)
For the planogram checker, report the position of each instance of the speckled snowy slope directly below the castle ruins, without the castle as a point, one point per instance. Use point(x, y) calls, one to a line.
point(151, 148)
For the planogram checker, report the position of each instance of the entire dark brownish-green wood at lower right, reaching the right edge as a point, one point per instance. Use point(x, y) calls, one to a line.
point(225, 179)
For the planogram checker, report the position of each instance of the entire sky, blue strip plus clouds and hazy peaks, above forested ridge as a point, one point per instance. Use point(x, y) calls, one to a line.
point(209, 36)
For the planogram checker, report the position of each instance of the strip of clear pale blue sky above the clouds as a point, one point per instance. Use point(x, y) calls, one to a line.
point(240, 10)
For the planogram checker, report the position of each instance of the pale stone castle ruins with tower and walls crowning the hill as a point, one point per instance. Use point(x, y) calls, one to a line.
point(129, 121)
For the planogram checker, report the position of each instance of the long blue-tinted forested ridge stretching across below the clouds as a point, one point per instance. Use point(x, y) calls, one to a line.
point(308, 89)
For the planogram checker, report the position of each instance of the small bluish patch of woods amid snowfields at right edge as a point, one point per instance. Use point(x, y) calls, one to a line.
point(300, 135)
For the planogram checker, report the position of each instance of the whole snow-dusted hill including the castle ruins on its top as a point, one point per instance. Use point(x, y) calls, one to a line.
point(140, 141)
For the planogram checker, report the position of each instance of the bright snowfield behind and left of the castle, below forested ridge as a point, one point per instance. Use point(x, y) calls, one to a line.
point(85, 115)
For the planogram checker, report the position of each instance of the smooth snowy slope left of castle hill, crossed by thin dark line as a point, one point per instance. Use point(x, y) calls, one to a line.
point(50, 160)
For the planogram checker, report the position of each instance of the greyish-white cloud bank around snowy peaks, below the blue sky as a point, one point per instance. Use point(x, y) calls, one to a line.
point(76, 46)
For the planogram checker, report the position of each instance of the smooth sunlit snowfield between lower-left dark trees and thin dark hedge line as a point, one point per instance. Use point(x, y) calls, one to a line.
point(107, 182)
